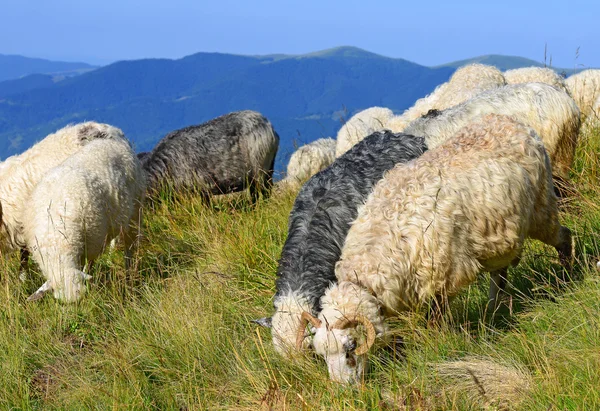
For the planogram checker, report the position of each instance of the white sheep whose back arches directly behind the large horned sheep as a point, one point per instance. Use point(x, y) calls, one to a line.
point(550, 112)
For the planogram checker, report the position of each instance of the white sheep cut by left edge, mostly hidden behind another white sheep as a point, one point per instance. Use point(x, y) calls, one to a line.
point(19, 174)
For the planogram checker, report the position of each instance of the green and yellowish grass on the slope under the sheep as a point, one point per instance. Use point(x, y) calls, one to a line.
point(178, 333)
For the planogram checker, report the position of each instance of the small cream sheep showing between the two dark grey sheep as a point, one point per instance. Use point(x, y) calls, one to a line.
point(309, 159)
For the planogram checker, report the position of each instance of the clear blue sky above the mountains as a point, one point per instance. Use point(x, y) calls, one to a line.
point(426, 32)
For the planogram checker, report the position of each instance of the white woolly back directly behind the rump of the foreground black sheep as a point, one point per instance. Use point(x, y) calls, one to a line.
point(361, 125)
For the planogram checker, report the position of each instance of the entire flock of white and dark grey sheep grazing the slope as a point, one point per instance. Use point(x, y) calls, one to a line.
point(397, 212)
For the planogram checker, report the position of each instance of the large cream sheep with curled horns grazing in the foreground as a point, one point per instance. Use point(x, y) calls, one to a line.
point(429, 227)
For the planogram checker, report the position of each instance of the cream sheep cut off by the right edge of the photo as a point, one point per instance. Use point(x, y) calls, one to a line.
point(585, 89)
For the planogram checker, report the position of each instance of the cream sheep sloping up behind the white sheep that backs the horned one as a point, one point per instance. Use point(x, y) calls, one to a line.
point(466, 82)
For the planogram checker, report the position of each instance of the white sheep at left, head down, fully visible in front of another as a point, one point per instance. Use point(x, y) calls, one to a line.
point(77, 208)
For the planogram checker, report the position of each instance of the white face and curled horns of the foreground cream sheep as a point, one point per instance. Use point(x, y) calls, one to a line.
point(338, 344)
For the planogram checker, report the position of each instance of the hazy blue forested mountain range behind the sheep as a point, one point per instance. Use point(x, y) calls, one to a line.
point(305, 96)
